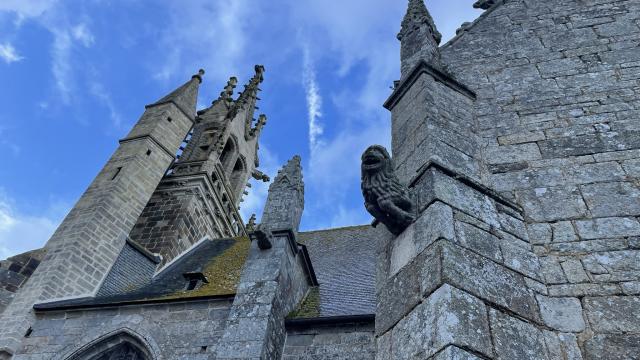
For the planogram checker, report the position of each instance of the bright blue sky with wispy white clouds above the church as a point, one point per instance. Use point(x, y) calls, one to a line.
point(75, 76)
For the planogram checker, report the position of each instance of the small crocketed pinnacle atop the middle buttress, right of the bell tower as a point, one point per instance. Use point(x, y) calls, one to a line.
point(285, 201)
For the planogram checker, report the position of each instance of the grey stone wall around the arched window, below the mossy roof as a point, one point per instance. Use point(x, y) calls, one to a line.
point(188, 330)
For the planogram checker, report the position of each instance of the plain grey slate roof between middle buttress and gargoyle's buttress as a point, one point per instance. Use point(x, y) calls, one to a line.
point(344, 263)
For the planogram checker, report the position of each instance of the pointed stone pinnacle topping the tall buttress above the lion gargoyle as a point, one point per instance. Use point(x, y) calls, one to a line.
point(419, 38)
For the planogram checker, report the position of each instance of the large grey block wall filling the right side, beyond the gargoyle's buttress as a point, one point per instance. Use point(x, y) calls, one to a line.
point(558, 107)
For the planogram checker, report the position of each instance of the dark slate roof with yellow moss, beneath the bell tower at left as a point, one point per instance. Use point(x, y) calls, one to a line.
point(220, 260)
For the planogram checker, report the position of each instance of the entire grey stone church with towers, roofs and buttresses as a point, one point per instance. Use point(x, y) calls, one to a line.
point(507, 224)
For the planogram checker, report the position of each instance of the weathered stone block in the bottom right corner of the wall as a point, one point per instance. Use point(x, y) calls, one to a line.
point(612, 347)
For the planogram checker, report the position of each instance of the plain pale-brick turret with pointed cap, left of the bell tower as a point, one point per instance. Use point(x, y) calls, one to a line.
point(87, 243)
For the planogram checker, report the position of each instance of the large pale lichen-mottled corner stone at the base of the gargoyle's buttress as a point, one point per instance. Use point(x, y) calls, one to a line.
point(448, 316)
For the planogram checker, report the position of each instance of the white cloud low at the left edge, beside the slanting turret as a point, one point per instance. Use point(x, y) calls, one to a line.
point(21, 232)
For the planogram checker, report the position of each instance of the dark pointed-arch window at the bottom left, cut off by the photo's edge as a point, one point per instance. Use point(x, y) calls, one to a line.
point(121, 346)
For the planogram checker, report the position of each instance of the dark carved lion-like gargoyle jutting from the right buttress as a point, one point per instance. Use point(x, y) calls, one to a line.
point(384, 196)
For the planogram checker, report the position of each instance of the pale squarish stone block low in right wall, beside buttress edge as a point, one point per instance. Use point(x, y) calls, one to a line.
point(563, 314)
